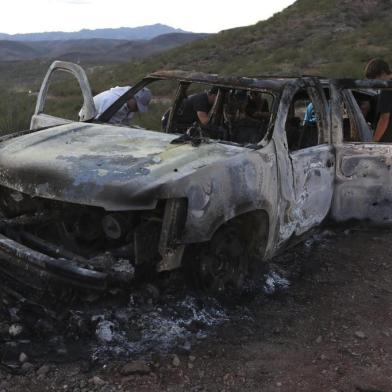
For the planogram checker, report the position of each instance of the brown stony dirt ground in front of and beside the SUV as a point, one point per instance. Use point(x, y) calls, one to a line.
point(330, 330)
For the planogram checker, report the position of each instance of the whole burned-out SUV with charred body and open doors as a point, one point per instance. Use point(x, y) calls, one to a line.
point(90, 204)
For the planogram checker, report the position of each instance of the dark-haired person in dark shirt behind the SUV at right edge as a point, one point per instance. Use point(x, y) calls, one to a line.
point(379, 69)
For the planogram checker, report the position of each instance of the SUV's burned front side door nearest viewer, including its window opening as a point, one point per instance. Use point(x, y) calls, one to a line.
point(308, 170)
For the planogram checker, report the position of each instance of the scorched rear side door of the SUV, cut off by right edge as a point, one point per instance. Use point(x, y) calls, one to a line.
point(363, 187)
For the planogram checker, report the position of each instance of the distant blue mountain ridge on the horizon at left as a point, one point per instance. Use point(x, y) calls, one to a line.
point(126, 33)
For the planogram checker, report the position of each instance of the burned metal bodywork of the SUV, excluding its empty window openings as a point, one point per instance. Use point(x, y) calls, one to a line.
point(187, 190)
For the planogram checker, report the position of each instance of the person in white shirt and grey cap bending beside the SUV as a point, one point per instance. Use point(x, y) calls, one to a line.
point(138, 103)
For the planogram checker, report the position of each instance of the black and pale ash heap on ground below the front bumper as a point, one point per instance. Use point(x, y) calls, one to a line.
point(91, 328)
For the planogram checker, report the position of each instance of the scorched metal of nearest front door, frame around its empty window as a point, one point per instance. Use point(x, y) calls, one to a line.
point(306, 176)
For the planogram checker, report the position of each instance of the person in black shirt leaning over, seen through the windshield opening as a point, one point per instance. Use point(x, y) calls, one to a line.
point(196, 108)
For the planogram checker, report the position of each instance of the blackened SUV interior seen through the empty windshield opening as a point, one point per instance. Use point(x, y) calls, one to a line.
point(237, 116)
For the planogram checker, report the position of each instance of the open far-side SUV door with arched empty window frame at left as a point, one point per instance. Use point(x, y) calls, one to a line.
point(40, 119)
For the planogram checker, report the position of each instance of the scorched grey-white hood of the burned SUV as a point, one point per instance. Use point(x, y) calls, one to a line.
point(116, 168)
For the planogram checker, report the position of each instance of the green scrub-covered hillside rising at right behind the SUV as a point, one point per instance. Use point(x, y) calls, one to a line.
point(327, 37)
